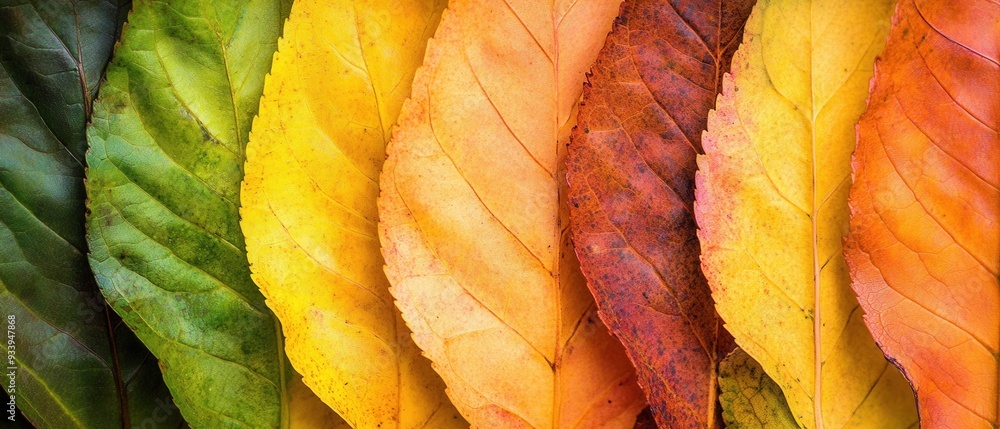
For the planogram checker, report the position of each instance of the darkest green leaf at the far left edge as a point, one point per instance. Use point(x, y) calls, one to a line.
point(77, 365)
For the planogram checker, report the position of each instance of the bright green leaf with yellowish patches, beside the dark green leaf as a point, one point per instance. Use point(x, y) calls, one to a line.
point(166, 159)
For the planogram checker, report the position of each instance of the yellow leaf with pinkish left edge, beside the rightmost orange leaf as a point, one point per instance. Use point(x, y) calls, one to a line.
point(772, 208)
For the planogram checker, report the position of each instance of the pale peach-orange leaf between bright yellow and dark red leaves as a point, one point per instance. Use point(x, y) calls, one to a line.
point(473, 219)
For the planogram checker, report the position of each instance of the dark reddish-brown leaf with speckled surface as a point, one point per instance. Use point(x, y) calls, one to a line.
point(631, 173)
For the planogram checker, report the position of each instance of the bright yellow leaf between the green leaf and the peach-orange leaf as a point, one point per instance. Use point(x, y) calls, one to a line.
point(309, 210)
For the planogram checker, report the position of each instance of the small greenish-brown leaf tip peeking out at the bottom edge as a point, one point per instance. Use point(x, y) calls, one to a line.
point(750, 399)
